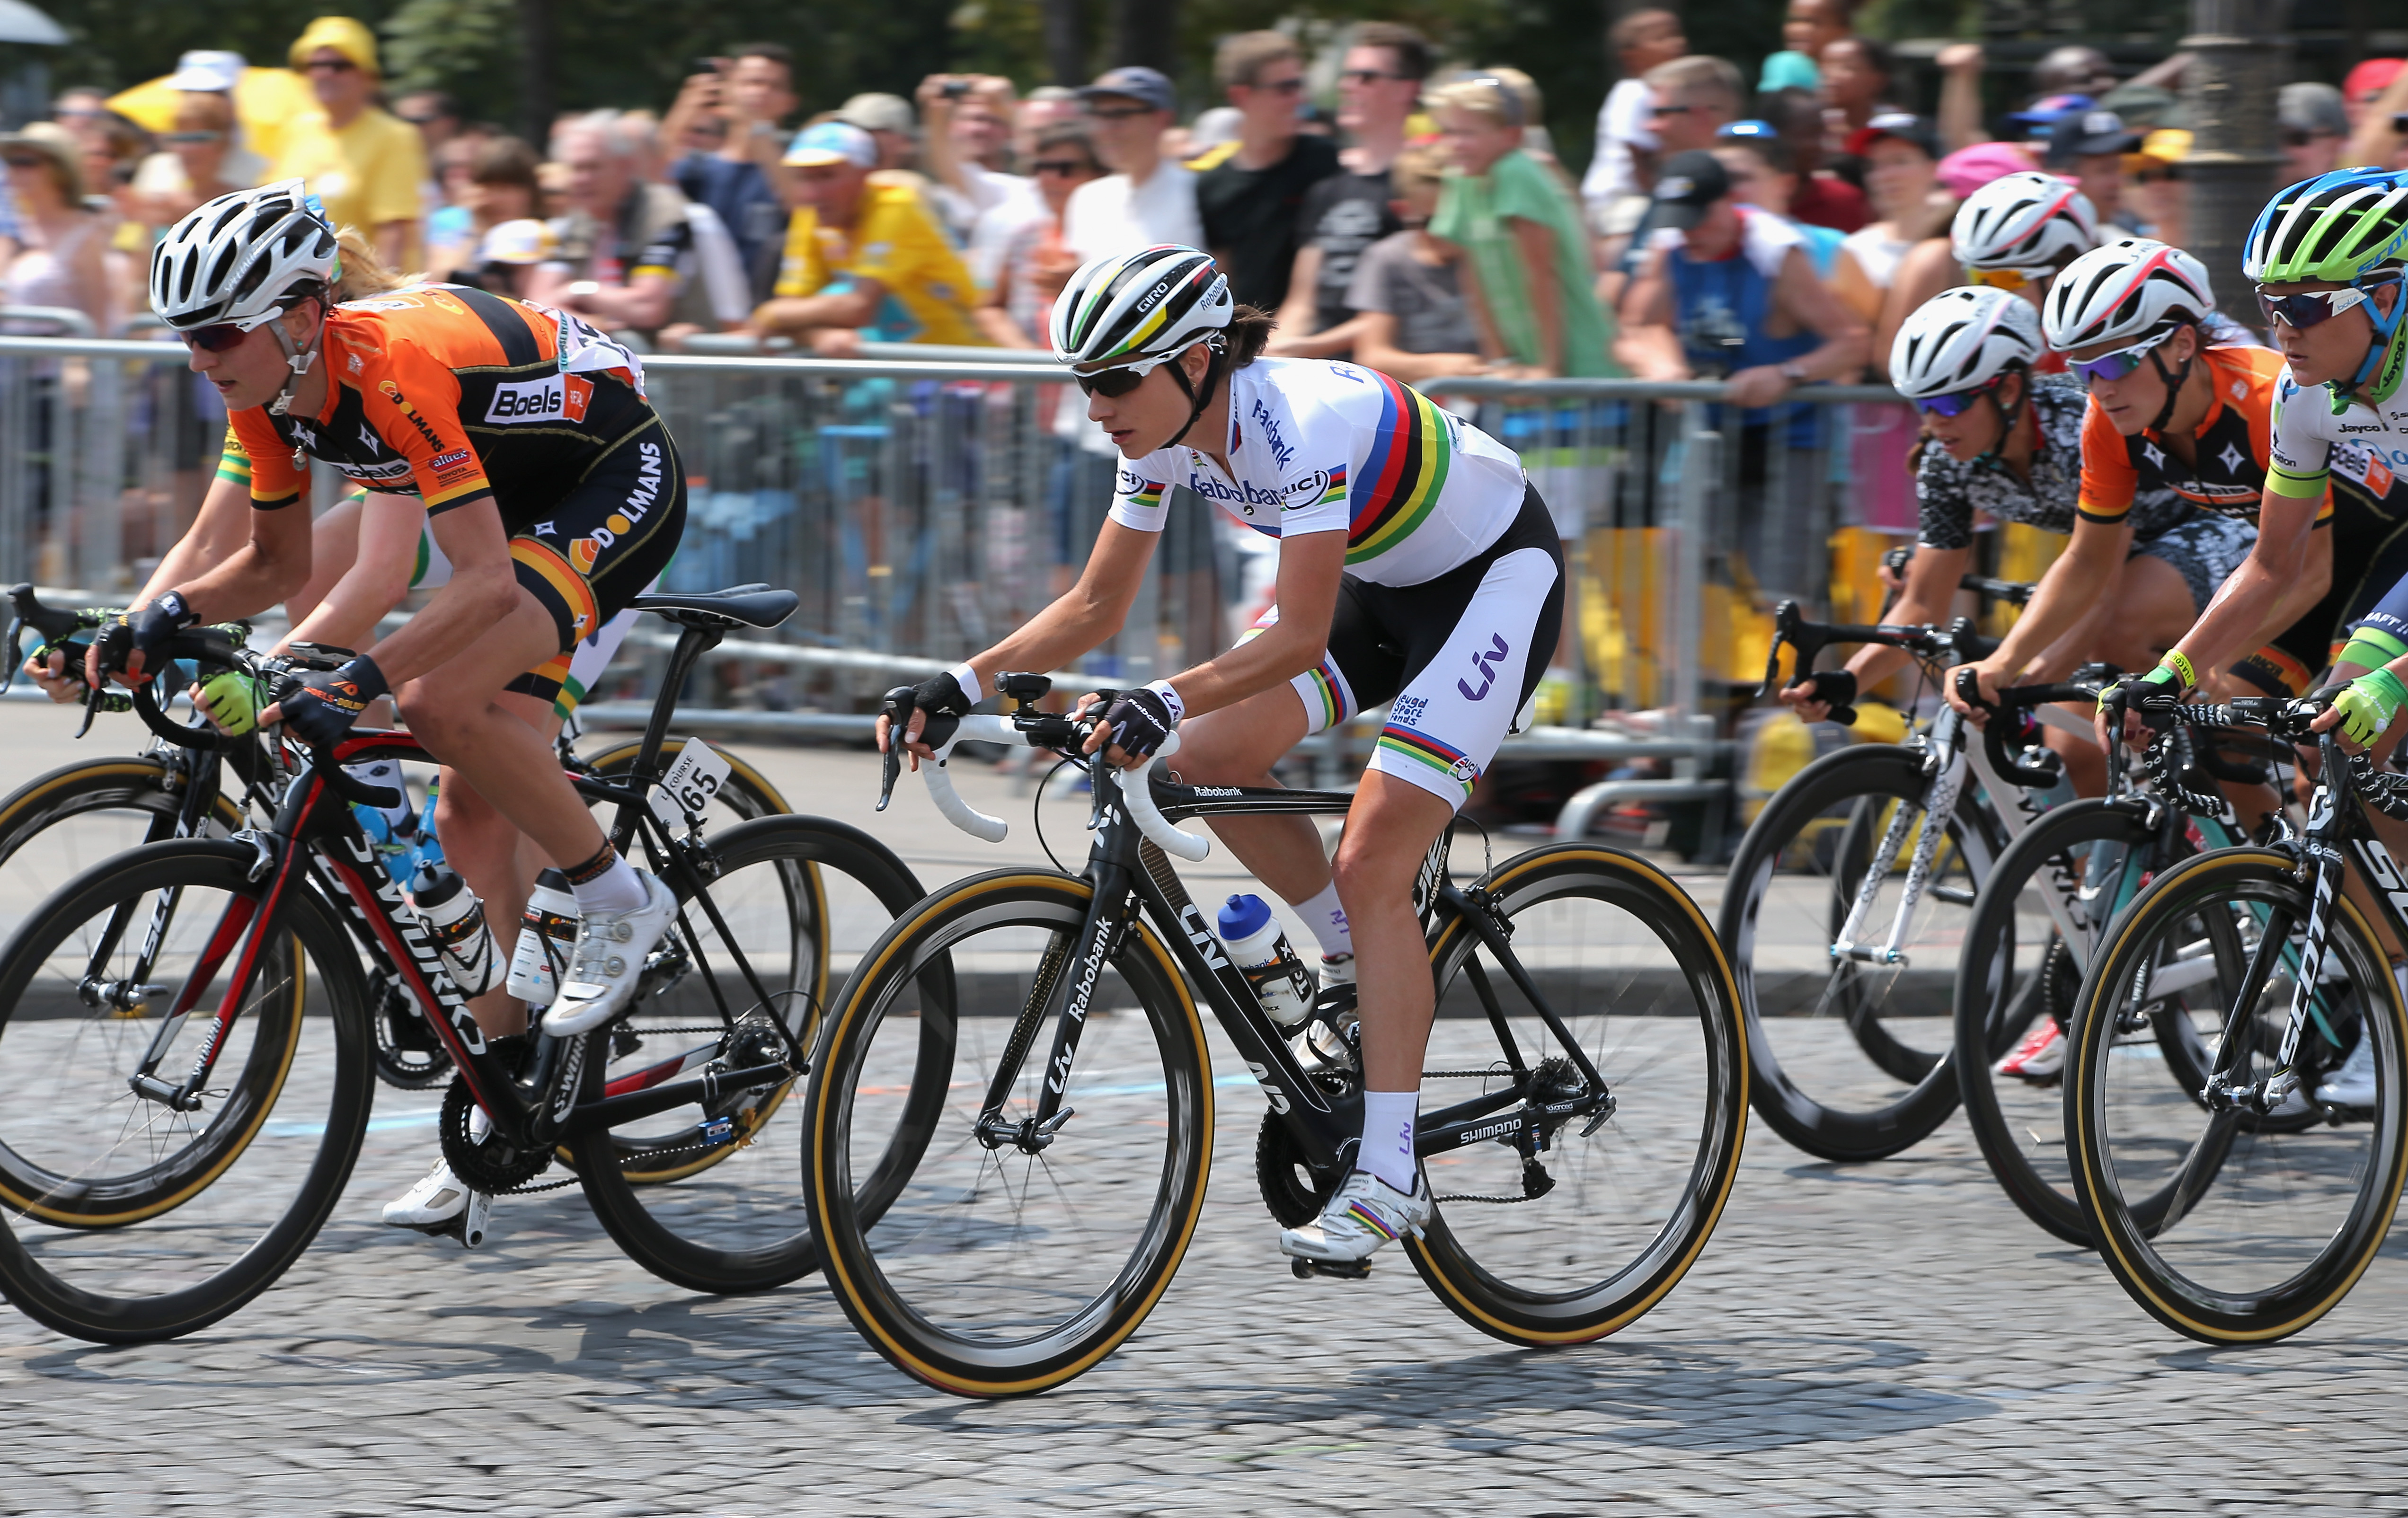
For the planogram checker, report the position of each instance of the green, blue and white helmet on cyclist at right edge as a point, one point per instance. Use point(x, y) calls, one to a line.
point(2344, 227)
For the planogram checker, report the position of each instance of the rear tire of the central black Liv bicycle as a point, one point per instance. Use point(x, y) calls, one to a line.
point(1525, 1315)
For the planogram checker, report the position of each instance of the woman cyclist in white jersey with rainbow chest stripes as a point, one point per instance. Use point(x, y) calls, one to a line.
point(1417, 564)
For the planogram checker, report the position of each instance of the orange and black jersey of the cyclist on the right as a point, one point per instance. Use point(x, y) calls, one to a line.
point(2229, 449)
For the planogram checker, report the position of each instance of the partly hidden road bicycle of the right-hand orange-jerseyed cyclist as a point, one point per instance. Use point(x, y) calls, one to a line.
point(2038, 920)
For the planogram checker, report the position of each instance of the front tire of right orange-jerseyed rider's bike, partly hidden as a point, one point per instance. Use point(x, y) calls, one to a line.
point(1990, 1016)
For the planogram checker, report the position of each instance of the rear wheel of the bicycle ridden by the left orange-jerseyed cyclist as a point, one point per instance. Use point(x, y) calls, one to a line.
point(798, 896)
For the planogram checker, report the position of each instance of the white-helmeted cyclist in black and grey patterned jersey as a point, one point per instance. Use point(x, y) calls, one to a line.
point(2005, 441)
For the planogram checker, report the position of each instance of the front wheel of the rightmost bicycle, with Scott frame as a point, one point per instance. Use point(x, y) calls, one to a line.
point(2265, 1223)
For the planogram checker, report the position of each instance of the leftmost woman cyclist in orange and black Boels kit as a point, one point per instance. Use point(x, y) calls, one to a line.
point(550, 530)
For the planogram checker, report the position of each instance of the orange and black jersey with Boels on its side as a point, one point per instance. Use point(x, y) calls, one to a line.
point(459, 396)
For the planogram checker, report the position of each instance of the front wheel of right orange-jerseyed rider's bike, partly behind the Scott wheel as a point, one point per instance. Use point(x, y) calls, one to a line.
point(2019, 966)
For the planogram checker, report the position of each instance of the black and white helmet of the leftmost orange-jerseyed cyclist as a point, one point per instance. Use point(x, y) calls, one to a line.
point(242, 259)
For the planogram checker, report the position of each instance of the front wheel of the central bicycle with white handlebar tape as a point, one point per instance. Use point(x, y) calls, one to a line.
point(1003, 1269)
